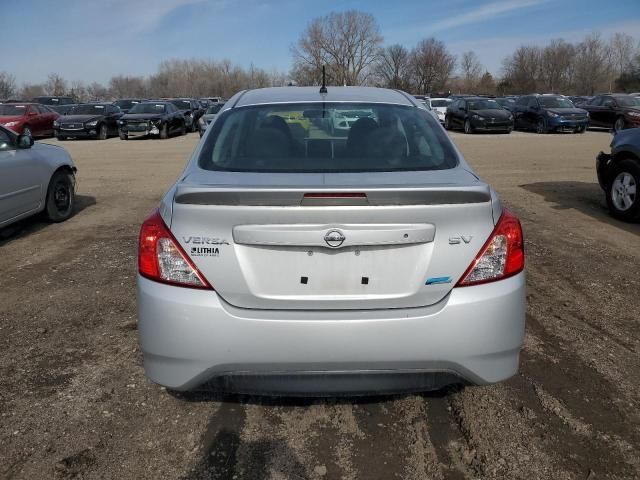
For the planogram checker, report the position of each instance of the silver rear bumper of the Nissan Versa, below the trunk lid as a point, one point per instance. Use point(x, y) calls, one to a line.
point(189, 337)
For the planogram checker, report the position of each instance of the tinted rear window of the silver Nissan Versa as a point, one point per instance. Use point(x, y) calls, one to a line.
point(327, 137)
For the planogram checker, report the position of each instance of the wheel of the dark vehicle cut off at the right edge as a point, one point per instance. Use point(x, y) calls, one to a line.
point(622, 191)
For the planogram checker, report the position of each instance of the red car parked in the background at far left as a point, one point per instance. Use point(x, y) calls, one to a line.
point(28, 118)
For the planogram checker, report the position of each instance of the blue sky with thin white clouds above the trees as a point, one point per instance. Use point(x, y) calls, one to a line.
point(94, 40)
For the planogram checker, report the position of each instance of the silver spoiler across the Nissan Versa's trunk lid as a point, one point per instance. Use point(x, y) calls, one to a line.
point(260, 196)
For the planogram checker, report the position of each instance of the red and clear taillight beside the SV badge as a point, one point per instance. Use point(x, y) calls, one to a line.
point(501, 256)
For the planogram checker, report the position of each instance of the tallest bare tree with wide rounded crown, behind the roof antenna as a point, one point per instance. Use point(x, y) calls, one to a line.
point(347, 43)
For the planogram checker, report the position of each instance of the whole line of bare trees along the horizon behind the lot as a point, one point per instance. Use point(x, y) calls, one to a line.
point(351, 47)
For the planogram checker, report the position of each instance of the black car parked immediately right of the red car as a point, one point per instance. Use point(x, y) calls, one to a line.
point(89, 120)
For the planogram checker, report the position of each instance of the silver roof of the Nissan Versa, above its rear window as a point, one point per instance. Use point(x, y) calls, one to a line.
point(312, 94)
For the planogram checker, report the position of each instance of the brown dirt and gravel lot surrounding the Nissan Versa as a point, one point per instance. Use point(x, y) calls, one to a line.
point(74, 401)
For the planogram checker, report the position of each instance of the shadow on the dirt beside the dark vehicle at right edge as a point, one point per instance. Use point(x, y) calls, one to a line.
point(585, 197)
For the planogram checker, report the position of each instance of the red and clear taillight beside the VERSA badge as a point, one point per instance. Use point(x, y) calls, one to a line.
point(161, 258)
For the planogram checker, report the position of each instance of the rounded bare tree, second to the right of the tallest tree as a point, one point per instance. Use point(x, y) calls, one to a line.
point(431, 65)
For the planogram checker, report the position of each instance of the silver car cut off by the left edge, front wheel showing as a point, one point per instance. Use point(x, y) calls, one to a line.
point(34, 178)
